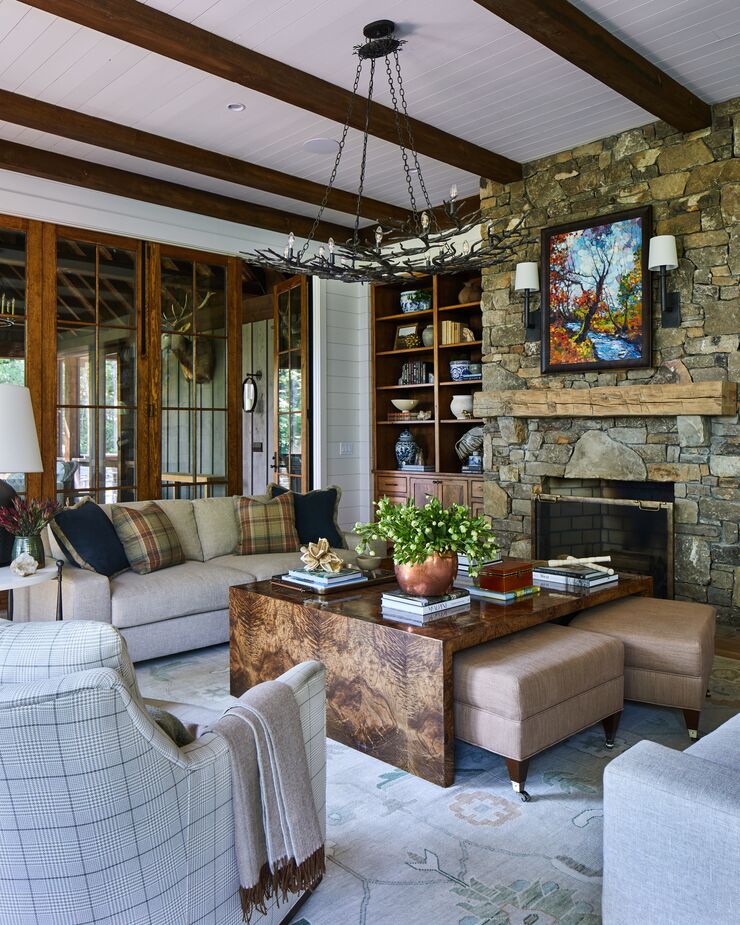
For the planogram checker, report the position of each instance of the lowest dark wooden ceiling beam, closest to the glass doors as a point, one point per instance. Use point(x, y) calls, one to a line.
point(52, 166)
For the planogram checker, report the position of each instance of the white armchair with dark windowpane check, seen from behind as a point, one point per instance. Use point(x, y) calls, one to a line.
point(103, 819)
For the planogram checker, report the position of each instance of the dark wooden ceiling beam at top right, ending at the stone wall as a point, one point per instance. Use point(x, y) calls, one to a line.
point(564, 29)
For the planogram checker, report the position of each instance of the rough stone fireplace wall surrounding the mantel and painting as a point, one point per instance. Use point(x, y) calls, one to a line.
point(693, 184)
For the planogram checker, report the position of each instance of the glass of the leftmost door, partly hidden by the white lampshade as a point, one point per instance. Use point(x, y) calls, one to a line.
point(13, 321)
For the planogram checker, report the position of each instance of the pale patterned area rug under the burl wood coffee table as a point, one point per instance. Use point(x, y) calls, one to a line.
point(404, 851)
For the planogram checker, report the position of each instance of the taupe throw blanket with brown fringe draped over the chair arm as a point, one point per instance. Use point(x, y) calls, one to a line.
point(278, 841)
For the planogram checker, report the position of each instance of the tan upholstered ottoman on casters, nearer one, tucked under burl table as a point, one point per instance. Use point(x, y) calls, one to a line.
point(521, 694)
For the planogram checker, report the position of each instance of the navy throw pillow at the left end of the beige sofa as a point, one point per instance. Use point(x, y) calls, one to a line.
point(88, 539)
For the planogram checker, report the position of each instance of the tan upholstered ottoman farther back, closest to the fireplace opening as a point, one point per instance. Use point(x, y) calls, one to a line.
point(668, 649)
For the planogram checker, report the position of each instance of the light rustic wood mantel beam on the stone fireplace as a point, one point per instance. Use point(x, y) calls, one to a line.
point(708, 398)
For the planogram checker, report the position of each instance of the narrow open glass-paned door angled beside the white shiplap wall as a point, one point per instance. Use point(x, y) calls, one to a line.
point(292, 445)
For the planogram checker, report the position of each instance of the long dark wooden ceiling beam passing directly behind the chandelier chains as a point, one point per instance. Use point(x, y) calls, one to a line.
point(174, 38)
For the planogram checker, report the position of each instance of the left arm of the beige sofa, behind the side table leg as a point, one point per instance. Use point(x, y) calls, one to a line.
point(85, 596)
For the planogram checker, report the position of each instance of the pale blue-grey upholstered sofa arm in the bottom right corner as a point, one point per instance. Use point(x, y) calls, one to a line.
point(671, 839)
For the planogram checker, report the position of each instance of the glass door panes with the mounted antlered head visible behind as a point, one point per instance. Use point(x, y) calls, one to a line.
point(194, 376)
